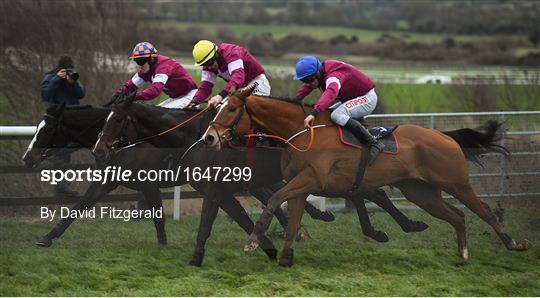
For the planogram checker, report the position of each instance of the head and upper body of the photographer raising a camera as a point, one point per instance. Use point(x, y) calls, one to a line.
point(62, 85)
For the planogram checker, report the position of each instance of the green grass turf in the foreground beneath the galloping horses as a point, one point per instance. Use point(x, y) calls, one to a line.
point(106, 257)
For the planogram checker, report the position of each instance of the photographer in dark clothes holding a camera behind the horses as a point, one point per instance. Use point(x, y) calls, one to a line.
point(62, 85)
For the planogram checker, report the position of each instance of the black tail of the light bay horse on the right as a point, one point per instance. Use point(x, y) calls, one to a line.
point(474, 143)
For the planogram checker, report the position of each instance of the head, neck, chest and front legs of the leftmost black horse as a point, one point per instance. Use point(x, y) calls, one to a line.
point(81, 124)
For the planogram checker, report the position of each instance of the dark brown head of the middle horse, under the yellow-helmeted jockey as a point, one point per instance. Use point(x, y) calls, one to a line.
point(118, 128)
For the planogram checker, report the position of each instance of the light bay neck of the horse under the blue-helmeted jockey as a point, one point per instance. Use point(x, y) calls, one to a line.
point(278, 117)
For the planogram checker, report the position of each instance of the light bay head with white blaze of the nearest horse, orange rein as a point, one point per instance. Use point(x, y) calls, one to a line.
point(232, 119)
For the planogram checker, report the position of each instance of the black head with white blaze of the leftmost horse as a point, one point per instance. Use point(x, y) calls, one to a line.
point(48, 136)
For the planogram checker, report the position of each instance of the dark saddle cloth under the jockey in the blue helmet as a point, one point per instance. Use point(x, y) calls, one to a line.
point(385, 135)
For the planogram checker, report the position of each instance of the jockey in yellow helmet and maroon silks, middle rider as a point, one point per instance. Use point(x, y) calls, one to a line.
point(232, 63)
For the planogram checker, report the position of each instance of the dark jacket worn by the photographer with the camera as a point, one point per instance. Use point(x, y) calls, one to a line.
point(56, 90)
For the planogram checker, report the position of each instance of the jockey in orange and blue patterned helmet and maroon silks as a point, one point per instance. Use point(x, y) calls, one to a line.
point(164, 73)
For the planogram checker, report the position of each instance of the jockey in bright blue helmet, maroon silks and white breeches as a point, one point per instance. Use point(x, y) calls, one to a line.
point(339, 81)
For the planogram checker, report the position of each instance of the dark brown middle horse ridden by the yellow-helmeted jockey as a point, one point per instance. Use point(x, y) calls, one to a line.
point(130, 121)
